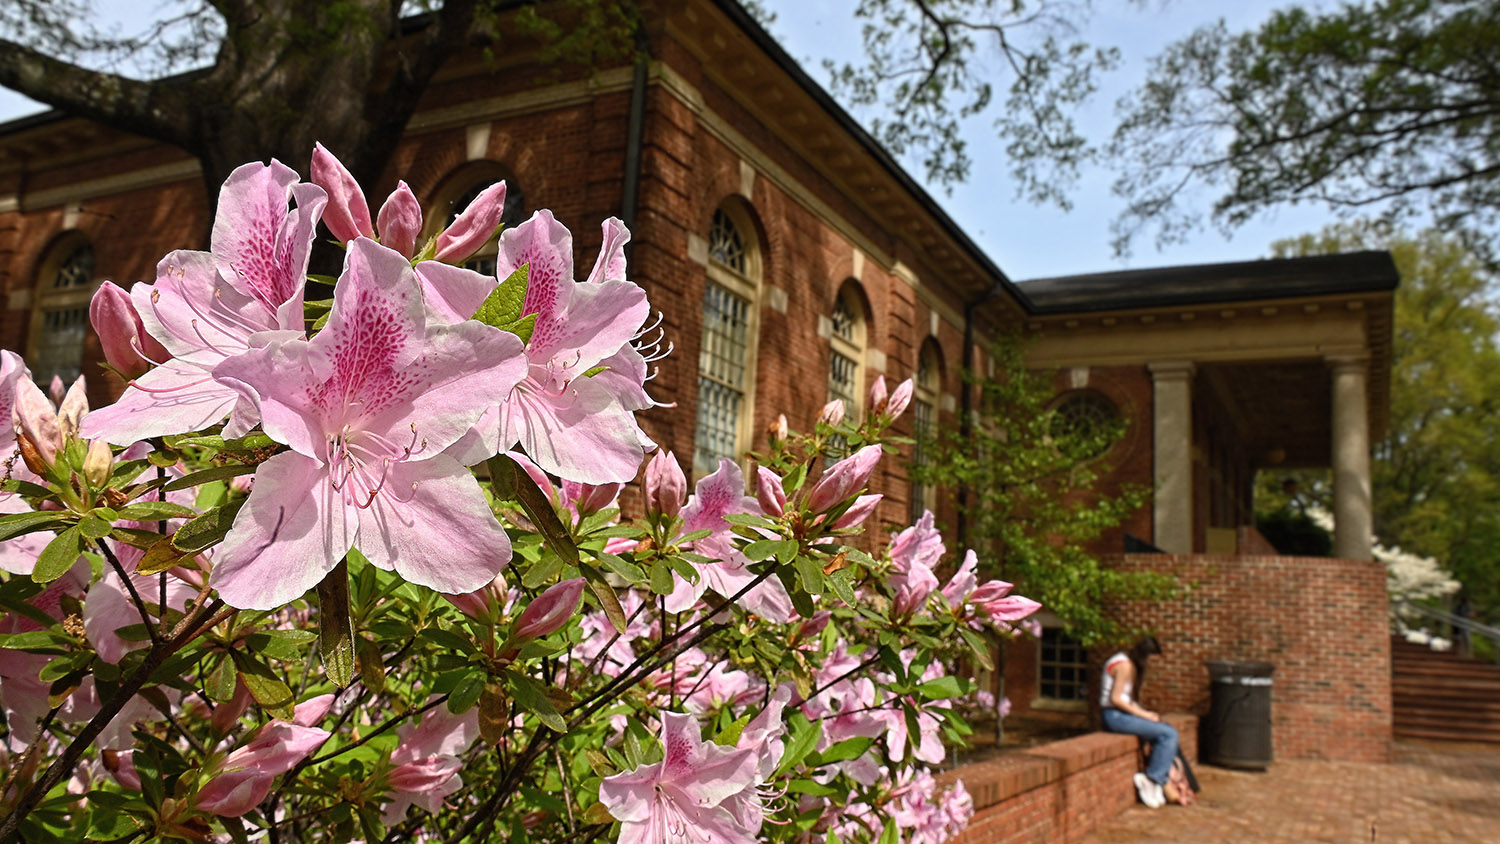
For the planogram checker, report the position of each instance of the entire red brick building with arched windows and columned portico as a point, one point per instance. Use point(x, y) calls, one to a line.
point(793, 262)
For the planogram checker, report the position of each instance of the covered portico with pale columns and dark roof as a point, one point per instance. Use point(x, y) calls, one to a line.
point(1234, 368)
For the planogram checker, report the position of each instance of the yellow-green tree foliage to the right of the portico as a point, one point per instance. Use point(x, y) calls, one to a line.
point(1438, 471)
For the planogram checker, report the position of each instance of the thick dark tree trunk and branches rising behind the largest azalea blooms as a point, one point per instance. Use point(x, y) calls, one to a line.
point(250, 80)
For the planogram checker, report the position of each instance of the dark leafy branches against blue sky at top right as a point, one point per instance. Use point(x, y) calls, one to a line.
point(1387, 104)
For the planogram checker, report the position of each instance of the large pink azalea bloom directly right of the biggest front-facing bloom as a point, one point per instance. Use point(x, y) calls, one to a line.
point(574, 425)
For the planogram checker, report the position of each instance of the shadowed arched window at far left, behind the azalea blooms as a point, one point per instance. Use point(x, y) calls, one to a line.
point(61, 319)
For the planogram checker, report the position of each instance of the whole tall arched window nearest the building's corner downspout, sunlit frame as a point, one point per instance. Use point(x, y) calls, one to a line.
point(727, 355)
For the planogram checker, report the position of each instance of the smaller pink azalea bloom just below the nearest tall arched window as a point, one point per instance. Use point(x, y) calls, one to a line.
point(716, 497)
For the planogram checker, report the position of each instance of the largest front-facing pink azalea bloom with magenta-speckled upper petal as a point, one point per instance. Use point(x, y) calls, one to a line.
point(368, 409)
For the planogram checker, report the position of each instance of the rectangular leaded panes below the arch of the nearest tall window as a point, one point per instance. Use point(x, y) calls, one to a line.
point(722, 362)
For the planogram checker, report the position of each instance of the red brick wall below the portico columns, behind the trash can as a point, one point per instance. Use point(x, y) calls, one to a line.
point(1321, 621)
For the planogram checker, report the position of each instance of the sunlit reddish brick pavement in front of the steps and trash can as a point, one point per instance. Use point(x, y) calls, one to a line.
point(1432, 794)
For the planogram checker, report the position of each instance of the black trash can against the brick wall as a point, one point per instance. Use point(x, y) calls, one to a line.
point(1238, 731)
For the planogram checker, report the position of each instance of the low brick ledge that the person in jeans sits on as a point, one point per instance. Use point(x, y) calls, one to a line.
point(1060, 792)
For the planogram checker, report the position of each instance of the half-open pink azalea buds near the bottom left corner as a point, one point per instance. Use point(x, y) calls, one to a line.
point(245, 777)
